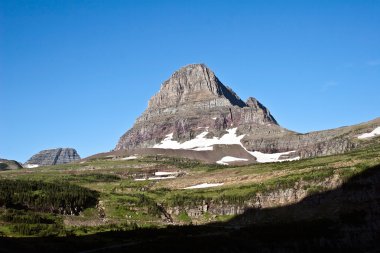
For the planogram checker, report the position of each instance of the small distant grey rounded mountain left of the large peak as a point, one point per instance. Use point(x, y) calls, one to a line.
point(53, 157)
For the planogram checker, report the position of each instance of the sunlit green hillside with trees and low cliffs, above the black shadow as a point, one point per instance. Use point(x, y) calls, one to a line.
point(101, 194)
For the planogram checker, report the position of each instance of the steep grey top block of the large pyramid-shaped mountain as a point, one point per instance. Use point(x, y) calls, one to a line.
point(193, 83)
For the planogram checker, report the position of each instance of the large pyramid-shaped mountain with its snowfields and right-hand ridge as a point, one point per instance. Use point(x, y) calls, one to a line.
point(194, 107)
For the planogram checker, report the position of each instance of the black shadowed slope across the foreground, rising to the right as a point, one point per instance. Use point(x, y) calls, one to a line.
point(346, 219)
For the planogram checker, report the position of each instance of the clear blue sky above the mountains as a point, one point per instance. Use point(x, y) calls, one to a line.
point(78, 73)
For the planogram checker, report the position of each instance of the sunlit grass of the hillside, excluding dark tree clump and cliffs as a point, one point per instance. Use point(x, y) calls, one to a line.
point(125, 204)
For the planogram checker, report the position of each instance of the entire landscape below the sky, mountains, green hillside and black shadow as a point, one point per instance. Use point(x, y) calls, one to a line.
point(201, 170)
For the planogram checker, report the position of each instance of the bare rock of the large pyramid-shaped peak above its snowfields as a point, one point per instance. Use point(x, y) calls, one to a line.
point(191, 100)
